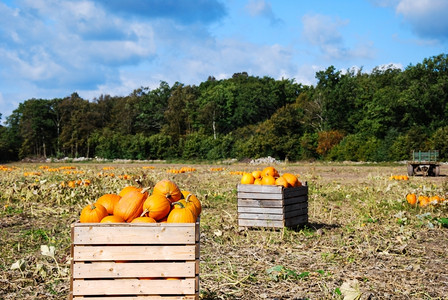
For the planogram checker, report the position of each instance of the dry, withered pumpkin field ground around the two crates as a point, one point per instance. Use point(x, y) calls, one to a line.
point(362, 237)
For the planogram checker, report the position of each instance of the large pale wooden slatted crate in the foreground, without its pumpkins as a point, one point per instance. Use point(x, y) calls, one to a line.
point(133, 261)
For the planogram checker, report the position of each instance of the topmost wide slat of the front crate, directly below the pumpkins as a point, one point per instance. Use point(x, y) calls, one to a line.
point(134, 235)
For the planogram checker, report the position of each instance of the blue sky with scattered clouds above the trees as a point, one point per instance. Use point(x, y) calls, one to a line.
point(52, 48)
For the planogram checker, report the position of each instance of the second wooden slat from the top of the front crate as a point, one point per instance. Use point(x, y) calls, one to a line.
point(126, 252)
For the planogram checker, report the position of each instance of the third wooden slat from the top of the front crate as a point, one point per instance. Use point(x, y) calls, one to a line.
point(130, 269)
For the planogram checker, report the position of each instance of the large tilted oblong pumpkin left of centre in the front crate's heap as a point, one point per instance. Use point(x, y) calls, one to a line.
point(130, 205)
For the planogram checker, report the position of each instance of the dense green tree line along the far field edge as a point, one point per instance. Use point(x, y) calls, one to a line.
point(352, 115)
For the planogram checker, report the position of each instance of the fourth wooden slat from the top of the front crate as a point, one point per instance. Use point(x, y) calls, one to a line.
point(134, 287)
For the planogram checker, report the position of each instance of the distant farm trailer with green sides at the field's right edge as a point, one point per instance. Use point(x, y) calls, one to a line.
point(424, 163)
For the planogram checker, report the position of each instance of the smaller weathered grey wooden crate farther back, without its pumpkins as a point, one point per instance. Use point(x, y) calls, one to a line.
point(272, 206)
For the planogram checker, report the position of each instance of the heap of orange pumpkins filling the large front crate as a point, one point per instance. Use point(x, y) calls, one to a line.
point(166, 203)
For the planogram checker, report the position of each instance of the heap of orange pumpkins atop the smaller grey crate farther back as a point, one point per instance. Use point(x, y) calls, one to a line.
point(270, 176)
